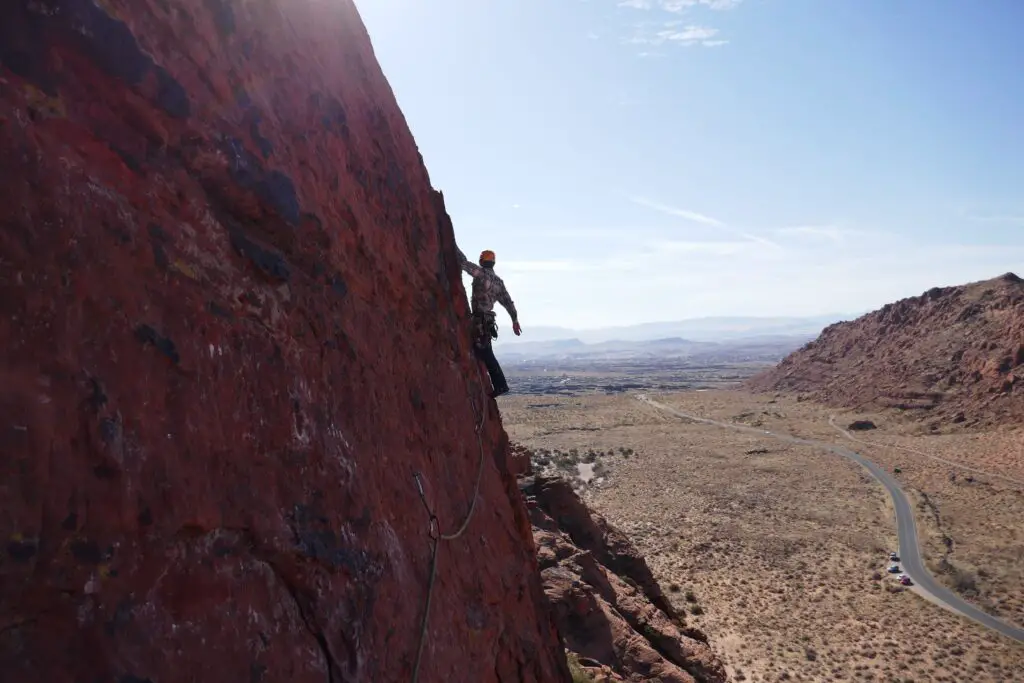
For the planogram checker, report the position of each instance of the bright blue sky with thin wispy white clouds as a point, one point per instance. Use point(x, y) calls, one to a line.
point(654, 160)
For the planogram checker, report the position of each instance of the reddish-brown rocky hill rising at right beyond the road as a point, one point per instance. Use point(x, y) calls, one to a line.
point(955, 355)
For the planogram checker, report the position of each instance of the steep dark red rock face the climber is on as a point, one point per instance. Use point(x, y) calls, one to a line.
point(234, 328)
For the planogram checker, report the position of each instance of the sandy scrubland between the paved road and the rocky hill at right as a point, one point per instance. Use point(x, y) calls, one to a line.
point(970, 487)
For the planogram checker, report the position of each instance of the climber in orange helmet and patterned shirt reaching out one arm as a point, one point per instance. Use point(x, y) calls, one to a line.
point(489, 288)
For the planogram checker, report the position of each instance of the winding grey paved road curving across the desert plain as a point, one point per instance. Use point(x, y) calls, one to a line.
point(910, 548)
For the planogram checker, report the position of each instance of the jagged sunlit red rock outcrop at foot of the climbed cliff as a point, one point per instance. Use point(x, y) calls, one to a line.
point(610, 609)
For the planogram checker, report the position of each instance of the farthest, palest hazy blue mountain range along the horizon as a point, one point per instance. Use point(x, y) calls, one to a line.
point(717, 329)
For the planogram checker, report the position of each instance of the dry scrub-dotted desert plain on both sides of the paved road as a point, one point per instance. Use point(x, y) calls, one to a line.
point(774, 549)
